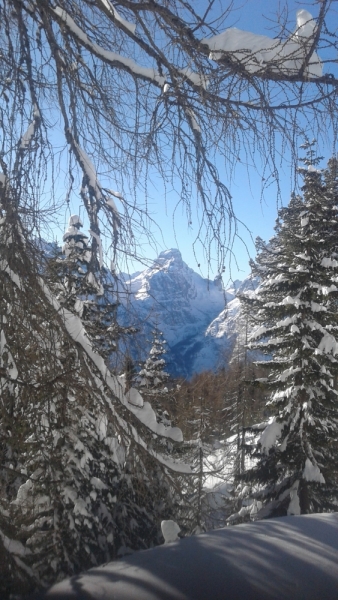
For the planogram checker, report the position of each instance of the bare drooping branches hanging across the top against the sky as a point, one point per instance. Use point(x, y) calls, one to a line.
point(117, 93)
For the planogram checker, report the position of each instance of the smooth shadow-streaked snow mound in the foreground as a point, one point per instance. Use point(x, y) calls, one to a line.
point(279, 559)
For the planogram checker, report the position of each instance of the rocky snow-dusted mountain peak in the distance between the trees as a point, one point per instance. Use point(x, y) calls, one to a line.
point(198, 317)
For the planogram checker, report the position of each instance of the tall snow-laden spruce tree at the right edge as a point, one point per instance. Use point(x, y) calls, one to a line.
point(296, 326)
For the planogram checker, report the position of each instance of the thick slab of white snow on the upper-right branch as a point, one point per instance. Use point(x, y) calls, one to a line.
point(257, 53)
